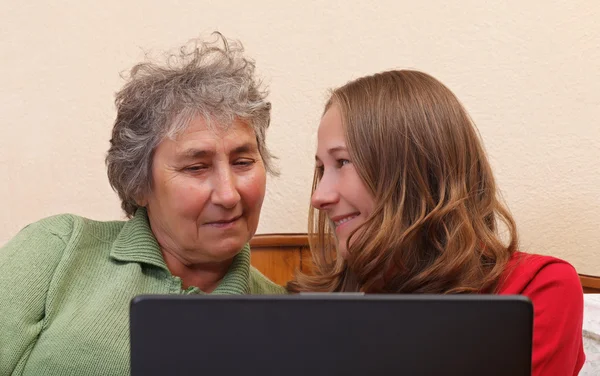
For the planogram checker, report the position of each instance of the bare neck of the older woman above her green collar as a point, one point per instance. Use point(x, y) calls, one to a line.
point(205, 276)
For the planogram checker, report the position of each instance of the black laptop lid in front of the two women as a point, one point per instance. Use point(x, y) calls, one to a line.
point(331, 334)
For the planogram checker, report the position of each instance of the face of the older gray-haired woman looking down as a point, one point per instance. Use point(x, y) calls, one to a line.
point(208, 189)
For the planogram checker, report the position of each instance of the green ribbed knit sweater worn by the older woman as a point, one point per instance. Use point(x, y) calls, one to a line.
point(65, 287)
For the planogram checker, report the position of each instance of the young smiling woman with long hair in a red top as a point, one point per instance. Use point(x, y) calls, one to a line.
point(406, 202)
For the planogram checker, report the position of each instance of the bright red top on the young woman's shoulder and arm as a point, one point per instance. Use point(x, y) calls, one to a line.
point(555, 290)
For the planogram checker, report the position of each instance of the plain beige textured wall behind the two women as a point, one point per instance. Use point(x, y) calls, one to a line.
point(528, 72)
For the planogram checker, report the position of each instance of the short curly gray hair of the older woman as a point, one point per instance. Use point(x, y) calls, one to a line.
point(209, 79)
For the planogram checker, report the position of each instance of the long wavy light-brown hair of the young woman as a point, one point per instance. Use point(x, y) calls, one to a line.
point(435, 225)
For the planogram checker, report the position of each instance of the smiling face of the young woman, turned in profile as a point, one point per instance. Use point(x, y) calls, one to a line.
point(340, 193)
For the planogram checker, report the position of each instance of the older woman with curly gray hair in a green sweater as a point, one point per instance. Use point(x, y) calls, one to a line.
point(188, 161)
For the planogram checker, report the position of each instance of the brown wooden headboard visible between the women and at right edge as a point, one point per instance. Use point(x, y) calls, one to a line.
point(278, 256)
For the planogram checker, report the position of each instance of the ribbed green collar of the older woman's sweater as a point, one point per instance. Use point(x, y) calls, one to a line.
point(136, 243)
